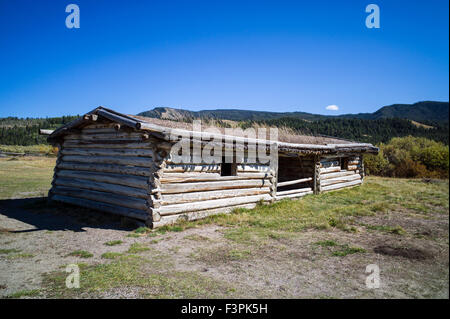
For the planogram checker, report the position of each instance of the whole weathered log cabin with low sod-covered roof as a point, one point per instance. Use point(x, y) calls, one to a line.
point(130, 166)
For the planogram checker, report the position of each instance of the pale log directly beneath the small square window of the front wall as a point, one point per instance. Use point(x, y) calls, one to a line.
point(203, 177)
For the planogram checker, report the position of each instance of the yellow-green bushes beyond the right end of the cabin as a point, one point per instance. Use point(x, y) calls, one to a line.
point(409, 157)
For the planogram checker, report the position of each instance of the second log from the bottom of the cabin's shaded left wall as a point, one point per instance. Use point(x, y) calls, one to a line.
point(122, 201)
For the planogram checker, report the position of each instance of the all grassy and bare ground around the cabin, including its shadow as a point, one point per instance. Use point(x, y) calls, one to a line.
point(316, 247)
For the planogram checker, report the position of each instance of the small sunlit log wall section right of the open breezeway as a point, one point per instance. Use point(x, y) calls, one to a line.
point(339, 172)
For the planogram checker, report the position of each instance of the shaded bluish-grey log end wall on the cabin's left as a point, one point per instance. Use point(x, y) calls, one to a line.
point(107, 168)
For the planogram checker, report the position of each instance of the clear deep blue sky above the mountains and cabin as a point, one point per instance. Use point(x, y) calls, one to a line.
point(274, 56)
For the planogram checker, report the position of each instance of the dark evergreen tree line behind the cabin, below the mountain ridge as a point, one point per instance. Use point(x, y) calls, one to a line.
point(25, 131)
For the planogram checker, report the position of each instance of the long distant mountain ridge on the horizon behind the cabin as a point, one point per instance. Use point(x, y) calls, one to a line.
point(422, 112)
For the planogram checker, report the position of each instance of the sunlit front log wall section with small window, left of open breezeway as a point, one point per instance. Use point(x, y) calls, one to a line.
point(193, 191)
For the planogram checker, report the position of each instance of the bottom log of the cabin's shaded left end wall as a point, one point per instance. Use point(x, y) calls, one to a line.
point(113, 209)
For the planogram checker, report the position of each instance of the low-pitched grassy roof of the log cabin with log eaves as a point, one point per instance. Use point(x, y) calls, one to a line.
point(287, 141)
